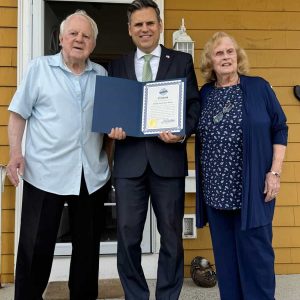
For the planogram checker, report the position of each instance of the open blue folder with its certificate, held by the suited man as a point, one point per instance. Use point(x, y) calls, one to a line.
point(140, 108)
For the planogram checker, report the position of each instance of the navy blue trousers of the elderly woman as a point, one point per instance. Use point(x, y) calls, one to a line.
point(244, 258)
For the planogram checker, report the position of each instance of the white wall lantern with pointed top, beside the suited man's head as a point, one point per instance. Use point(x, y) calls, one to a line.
point(182, 41)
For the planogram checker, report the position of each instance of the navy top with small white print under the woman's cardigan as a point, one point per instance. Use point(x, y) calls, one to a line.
point(221, 139)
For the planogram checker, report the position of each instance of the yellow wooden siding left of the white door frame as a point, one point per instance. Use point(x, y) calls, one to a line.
point(8, 81)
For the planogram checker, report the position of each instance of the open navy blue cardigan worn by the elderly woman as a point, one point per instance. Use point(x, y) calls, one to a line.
point(264, 124)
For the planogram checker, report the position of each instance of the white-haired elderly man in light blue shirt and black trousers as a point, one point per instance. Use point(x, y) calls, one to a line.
point(64, 162)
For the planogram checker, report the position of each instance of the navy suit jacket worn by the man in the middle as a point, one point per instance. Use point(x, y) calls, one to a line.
point(168, 160)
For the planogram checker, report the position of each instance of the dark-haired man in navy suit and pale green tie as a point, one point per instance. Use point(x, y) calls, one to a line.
point(152, 167)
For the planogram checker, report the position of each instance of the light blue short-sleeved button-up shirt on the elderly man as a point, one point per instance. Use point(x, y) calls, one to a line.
point(58, 107)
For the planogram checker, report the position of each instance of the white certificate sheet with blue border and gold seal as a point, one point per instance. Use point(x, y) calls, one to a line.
point(163, 107)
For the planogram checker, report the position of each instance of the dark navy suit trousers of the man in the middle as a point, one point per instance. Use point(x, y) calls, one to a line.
point(167, 199)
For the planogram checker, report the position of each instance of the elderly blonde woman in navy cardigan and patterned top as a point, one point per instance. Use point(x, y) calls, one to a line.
point(240, 145)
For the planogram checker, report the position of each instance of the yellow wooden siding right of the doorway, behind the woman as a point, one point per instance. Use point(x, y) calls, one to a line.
point(269, 31)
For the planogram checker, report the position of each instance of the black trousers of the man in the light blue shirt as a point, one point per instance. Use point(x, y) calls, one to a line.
point(41, 213)
